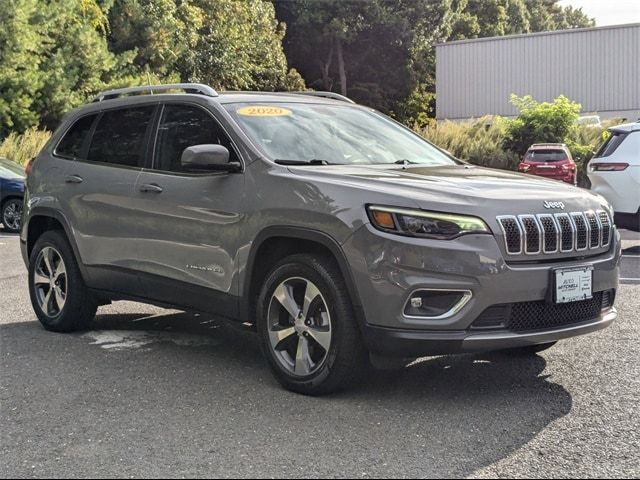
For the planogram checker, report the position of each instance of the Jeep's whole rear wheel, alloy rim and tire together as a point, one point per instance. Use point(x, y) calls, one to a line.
point(58, 293)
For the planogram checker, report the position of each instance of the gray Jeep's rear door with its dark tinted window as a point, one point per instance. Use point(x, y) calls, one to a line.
point(99, 187)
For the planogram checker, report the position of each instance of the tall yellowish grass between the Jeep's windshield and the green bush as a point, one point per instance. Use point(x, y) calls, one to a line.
point(477, 141)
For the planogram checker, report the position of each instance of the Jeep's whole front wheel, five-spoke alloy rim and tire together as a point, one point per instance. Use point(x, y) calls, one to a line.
point(307, 327)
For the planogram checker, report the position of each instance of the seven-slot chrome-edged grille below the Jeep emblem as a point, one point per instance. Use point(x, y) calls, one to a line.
point(561, 232)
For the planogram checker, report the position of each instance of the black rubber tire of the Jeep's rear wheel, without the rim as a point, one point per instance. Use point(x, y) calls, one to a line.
point(79, 308)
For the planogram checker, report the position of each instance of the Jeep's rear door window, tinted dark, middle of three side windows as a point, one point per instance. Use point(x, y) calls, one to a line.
point(120, 136)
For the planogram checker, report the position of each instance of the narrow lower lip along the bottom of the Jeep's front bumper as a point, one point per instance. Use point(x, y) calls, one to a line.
point(411, 343)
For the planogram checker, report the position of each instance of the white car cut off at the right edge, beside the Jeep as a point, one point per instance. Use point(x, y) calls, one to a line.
point(614, 172)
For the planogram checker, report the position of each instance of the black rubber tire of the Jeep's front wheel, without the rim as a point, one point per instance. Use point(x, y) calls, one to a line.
point(340, 310)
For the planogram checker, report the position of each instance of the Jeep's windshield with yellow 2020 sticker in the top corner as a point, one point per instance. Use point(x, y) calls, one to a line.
point(332, 134)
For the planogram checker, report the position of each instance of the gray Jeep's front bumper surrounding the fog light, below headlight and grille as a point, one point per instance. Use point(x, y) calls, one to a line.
point(388, 269)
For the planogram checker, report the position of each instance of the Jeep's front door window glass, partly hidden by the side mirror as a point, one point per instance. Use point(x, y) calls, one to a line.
point(183, 126)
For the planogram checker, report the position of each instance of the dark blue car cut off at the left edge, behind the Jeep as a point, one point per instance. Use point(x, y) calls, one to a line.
point(11, 194)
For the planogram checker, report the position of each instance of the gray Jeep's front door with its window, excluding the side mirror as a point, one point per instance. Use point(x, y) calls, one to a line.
point(188, 223)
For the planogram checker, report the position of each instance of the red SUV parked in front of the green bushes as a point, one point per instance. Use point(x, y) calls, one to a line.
point(551, 160)
